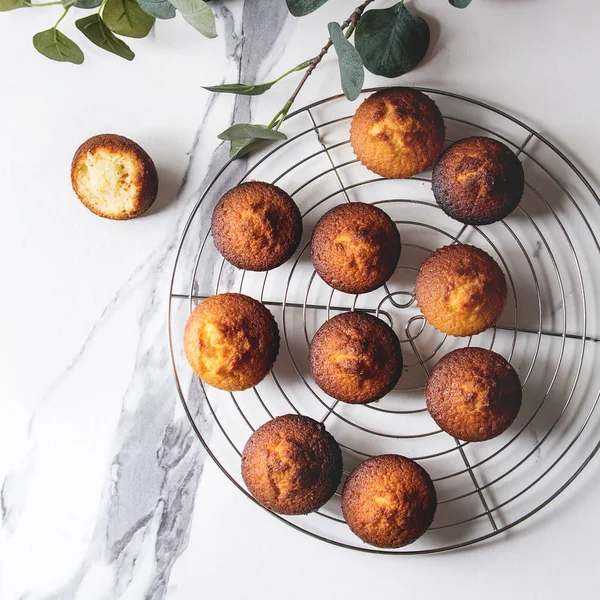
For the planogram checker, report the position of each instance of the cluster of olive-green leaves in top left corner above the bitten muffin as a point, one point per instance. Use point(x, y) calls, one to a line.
point(127, 18)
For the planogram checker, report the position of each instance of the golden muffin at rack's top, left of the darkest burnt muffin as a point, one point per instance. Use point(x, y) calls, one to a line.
point(397, 132)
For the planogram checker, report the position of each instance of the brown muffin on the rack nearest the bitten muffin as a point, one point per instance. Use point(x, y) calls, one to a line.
point(256, 226)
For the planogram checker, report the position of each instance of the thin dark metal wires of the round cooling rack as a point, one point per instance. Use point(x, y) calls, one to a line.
point(411, 338)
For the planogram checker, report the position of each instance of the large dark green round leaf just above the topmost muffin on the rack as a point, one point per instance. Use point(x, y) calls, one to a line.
point(391, 41)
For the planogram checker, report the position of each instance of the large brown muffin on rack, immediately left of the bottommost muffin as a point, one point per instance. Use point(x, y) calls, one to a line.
point(292, 465)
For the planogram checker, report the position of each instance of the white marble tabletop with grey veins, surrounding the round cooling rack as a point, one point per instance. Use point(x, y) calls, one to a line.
point(105, 490)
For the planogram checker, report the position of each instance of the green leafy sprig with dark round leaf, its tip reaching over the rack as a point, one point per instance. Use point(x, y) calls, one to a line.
point(387, 42)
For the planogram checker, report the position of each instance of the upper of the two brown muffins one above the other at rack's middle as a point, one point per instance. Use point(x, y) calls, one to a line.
point(355, 247)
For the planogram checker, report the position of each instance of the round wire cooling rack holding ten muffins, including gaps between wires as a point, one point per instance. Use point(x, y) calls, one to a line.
point(548, 250)
